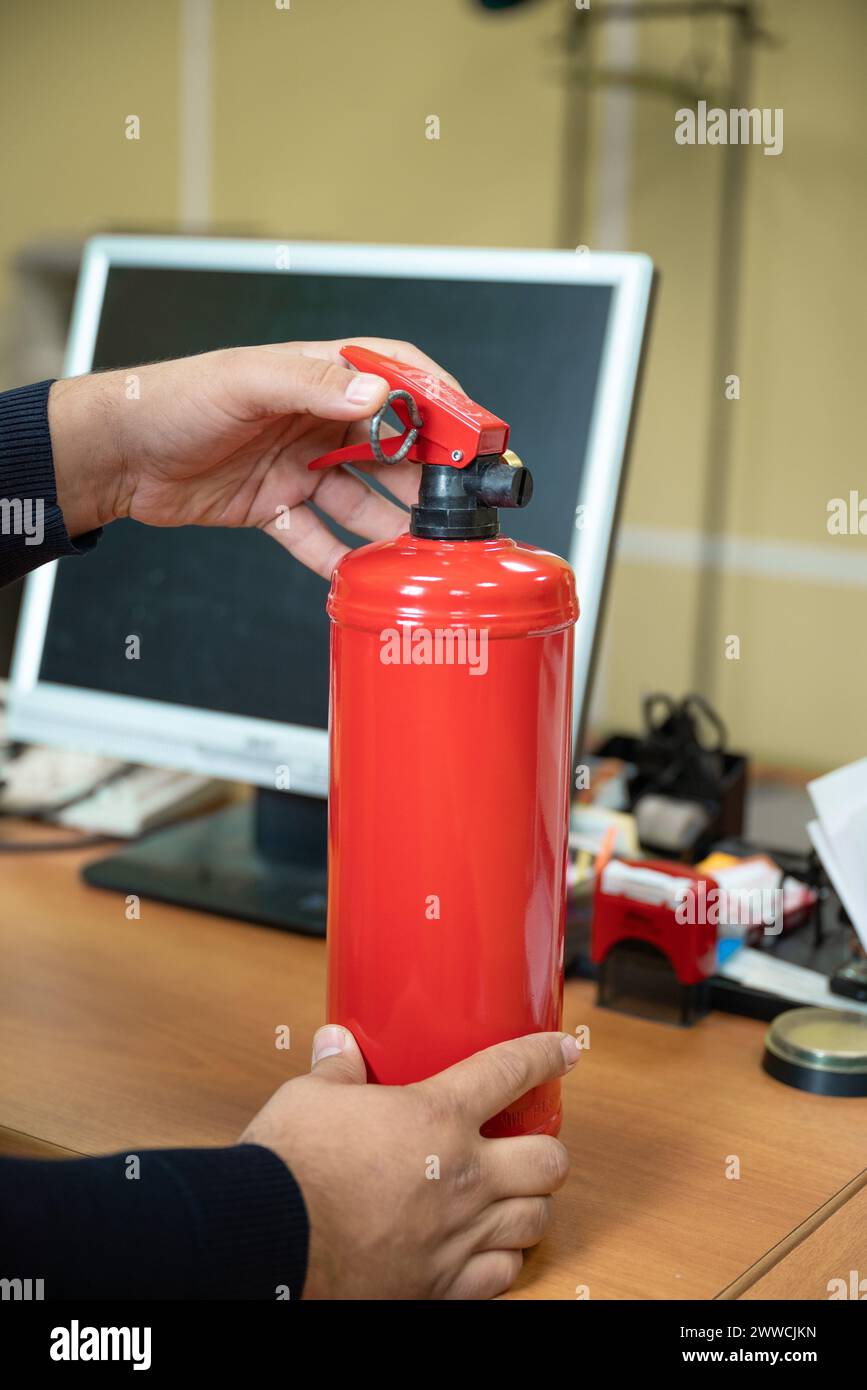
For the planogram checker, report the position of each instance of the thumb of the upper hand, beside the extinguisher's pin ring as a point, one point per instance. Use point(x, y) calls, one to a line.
point(266, 383)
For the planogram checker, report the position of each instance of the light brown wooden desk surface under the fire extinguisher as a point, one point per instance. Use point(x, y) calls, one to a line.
point(119, 1035)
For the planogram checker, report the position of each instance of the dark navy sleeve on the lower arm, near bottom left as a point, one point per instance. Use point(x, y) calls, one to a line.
point(176, 1224)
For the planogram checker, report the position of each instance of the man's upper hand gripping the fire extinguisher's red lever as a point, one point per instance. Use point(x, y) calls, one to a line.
point(226, 440)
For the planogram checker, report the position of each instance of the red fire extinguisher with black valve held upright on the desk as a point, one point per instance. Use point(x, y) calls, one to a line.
point(451, 714)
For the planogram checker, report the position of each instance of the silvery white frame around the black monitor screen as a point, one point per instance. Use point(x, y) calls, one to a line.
point(249, 750)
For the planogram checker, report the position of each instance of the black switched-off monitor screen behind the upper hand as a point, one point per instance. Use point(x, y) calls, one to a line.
point(230, 622)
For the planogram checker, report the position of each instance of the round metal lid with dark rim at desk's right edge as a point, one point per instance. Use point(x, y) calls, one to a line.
point(819, 1050)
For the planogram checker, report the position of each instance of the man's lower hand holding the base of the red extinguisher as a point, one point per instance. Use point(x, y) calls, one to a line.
point(381, 1224)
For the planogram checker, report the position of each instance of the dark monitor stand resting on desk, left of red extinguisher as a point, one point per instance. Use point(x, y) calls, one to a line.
point(262, 861)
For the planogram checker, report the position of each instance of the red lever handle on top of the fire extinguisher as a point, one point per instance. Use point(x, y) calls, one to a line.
point(454, 429)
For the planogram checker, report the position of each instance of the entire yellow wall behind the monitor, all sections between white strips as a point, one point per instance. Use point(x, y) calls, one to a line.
point(319, 130)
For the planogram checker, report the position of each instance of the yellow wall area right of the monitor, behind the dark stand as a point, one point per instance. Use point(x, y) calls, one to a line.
point(798, 693)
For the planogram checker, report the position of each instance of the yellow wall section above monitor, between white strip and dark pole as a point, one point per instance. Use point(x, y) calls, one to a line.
point(322, 122)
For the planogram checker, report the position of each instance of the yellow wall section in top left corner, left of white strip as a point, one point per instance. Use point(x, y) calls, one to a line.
point(70, 74)
